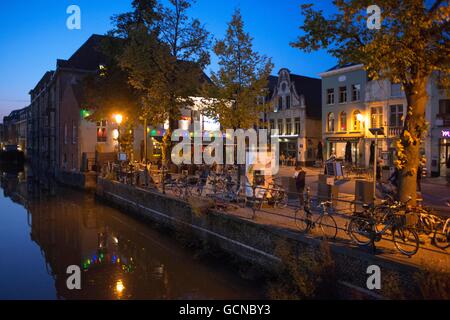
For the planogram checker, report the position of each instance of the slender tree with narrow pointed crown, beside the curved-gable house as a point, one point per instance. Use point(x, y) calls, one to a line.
point(241, 79)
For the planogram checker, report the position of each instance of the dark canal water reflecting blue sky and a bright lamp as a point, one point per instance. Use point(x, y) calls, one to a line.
point(42, 233)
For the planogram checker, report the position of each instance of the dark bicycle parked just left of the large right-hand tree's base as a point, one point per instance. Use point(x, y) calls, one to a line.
point(363, 230)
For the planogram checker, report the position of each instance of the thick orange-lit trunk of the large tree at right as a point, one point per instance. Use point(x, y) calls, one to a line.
point(413, 131)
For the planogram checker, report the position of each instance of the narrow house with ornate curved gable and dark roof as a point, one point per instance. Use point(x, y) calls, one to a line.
point(294, 108)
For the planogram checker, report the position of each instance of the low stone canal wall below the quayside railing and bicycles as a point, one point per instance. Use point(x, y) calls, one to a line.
point(248, 240)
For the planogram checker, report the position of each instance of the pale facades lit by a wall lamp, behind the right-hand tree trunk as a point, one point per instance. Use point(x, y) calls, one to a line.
point(379, 104)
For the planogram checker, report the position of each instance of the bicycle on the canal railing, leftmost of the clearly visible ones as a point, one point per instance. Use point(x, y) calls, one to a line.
point(305, 222)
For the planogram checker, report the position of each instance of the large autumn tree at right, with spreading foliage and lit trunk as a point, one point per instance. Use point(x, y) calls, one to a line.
point(411, 47)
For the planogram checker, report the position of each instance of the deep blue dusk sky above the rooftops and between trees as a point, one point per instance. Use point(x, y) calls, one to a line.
point(34, 34)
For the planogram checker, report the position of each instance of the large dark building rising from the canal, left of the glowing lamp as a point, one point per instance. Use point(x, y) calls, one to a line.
point(55, 117)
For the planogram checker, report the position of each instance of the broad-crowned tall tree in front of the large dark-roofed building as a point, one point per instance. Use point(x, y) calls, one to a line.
point(164, 56)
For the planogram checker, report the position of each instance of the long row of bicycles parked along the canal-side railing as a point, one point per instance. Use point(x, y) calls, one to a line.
point(389, 219)
